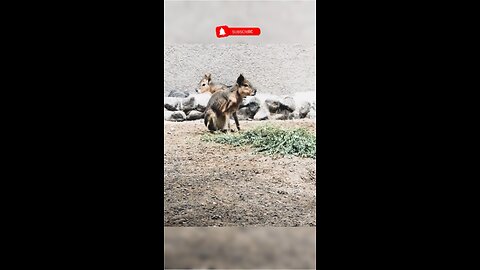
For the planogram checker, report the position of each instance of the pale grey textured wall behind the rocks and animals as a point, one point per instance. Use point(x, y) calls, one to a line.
point(274, 68)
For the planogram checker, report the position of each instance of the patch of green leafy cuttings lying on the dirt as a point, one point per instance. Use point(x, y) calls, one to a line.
point(271, 140)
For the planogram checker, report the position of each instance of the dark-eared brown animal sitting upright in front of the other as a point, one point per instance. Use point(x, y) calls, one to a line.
point(223, 104)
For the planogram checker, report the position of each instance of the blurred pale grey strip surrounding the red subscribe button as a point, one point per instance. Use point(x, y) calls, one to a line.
point(279, 21)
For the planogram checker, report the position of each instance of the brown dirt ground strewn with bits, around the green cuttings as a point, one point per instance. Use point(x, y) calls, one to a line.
point(211, 184)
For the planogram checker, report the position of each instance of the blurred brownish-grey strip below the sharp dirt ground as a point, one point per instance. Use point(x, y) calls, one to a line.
point(239, 248)
